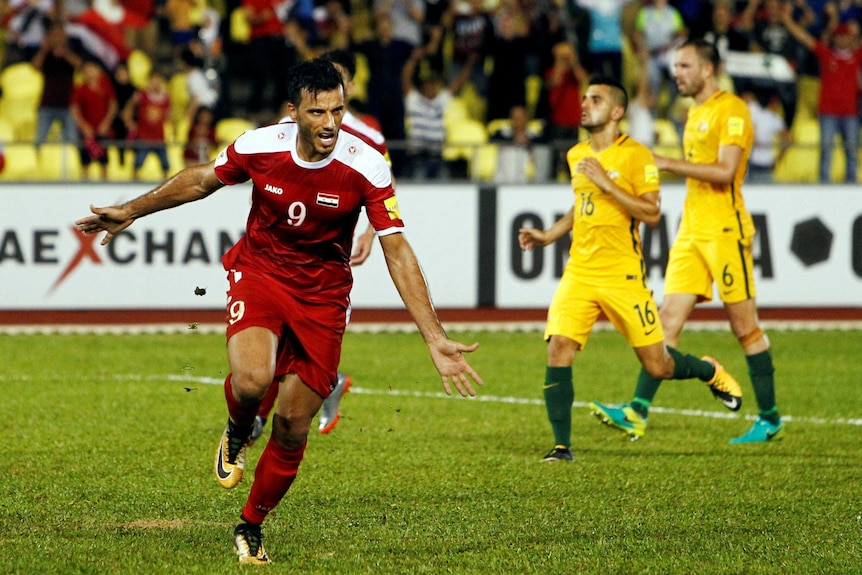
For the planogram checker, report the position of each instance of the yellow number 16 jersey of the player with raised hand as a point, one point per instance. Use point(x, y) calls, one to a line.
point(606, 243)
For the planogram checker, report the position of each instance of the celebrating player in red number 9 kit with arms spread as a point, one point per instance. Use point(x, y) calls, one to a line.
point(290, 279)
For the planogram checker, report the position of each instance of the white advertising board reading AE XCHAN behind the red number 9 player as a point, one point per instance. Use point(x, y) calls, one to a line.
point(169, 259)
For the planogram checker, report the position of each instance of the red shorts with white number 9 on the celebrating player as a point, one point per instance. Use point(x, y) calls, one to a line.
point(309, 329)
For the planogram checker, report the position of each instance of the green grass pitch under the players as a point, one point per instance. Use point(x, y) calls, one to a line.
point(108, 444)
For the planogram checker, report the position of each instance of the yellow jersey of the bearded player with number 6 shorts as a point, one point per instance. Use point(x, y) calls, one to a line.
point(713, 210)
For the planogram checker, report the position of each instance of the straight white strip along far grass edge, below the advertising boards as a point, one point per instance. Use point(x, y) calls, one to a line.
point(405, 327)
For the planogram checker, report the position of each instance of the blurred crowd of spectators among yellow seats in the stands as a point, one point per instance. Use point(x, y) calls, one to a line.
point(458, 87)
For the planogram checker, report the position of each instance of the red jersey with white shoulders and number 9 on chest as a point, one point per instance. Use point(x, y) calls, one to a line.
point(300, 227)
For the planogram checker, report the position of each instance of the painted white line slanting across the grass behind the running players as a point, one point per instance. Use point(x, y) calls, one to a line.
point(532, 401)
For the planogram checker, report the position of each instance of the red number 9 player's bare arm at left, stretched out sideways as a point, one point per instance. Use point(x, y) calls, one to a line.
point(187, 186)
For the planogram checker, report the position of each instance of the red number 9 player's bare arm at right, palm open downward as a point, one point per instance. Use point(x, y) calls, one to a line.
point(410, 282)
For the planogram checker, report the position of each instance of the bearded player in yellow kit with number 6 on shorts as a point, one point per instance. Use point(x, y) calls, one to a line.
point(714, 241)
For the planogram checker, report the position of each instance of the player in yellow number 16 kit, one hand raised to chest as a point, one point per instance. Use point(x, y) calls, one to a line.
point(616, 186)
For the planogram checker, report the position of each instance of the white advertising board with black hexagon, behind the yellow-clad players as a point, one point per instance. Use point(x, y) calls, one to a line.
point(808, 250)
